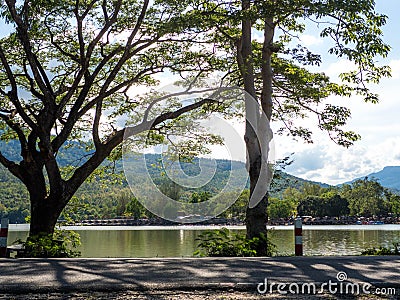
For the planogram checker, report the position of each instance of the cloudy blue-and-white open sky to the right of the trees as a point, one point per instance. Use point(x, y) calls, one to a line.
point(378, 124)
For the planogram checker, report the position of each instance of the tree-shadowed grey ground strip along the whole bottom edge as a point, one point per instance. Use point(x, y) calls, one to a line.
point(206, 278)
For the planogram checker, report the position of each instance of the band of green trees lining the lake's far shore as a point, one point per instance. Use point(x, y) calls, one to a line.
point(364, 197)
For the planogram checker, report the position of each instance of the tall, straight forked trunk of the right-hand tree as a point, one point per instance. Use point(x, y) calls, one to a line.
point(258, 134)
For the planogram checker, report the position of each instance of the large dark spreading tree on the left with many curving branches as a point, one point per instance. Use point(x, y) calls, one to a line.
point(67, 70)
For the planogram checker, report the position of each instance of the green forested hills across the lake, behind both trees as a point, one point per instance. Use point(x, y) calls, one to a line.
point(105, 198)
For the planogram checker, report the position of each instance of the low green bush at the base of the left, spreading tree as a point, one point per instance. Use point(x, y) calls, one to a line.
point(61, 244)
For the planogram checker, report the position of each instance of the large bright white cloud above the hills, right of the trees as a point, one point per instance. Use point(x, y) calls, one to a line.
point(378, 125)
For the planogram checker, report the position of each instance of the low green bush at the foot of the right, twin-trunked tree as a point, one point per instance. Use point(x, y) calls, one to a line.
point(223, 242)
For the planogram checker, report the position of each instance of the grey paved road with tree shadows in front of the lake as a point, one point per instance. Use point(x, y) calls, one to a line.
point(50, 275)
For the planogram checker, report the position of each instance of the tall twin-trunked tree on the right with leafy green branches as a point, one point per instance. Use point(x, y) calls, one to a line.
point(275, 70)
